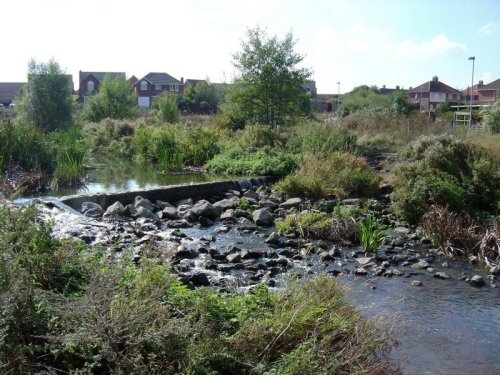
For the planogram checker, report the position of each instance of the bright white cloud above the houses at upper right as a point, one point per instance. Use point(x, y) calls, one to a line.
point(438, 45)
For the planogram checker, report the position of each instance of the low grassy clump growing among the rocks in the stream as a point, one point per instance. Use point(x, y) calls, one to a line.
point(320, 225)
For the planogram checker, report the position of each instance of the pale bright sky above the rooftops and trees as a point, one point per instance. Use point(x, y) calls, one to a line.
point(356, 42)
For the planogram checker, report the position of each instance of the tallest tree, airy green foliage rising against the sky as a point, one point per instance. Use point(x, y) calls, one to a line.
point(268, 89)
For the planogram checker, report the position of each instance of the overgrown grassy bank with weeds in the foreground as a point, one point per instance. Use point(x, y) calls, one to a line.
point(65, 308)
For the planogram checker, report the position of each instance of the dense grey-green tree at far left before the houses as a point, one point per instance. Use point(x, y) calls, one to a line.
point(45, 100)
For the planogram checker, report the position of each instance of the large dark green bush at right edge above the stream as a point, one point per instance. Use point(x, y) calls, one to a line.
point(448, 171)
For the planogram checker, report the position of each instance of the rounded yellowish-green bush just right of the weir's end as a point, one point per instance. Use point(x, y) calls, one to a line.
point(339, 174)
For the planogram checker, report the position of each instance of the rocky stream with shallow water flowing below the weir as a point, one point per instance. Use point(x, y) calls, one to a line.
point(447, 310)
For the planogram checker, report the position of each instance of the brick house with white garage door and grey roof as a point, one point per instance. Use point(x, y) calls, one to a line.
point(153, 84)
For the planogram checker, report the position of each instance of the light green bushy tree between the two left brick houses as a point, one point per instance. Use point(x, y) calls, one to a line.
point(114, 100)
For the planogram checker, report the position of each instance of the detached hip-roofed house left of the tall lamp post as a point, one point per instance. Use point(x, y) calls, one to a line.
point(432, 93)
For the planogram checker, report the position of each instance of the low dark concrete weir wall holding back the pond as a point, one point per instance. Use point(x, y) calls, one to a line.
point(169, 193)
